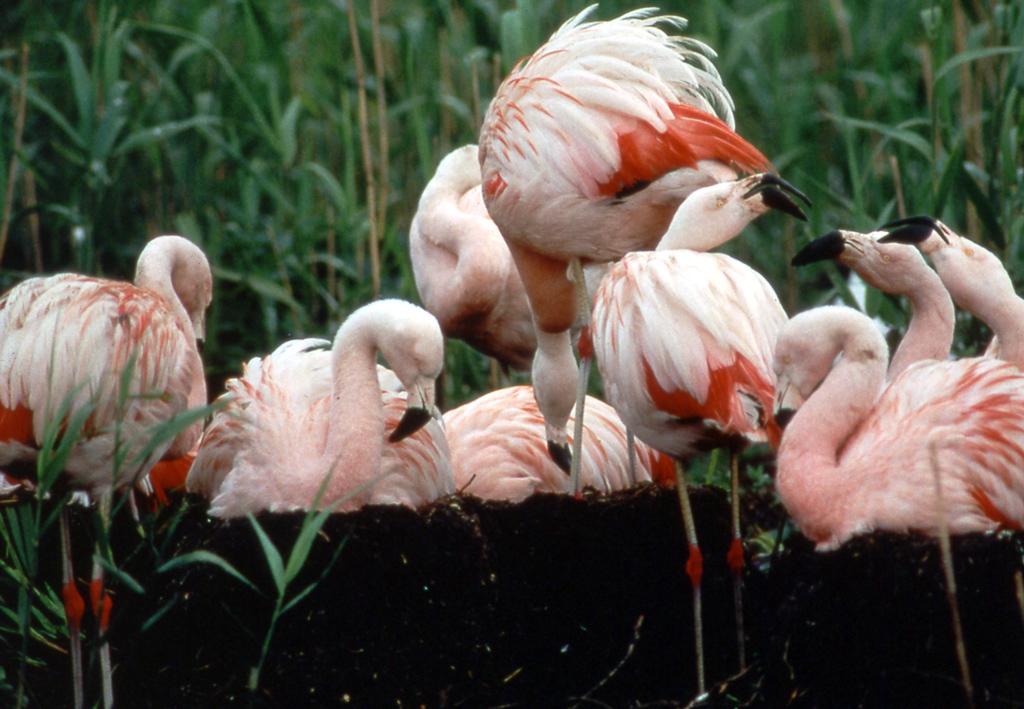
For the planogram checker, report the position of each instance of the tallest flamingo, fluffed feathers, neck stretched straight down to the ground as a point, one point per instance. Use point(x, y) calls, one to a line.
point(586, 151)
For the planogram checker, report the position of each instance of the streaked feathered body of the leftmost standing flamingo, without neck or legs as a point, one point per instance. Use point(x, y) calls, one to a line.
point(88, 343)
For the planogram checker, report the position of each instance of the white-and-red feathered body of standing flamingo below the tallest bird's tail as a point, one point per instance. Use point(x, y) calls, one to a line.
point(685, 343)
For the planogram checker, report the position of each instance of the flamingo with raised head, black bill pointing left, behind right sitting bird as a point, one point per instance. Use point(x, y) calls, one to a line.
point(899, 270)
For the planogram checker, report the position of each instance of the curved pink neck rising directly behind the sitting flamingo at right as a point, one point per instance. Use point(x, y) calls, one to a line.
point(930, 333)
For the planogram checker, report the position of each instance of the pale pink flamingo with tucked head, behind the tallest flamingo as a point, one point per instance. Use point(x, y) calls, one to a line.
point(463, 268)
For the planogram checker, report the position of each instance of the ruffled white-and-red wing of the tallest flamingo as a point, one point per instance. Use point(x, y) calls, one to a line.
point(605, 109)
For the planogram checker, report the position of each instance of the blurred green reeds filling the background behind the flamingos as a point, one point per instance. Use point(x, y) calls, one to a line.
point(237, 123)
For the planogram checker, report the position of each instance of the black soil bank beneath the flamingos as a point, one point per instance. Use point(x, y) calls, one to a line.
point(551, 603)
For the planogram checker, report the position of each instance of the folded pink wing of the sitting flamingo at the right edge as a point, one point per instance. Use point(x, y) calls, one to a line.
point(971, 413)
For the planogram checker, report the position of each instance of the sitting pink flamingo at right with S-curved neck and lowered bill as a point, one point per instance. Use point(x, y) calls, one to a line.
point(859, 457)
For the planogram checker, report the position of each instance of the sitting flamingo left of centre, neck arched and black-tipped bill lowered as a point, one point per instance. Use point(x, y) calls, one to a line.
point(294, 434)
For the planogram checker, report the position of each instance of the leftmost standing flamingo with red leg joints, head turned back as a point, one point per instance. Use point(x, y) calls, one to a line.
point(120, 360)
